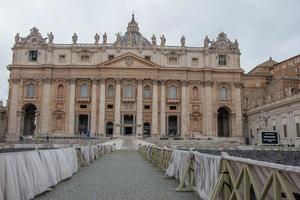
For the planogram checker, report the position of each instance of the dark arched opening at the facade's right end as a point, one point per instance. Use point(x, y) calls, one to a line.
point(223, 122)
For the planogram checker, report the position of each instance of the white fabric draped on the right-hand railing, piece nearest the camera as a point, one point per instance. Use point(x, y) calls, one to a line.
point(207, 168)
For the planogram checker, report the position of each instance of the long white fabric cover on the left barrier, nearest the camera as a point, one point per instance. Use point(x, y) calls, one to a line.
point(26, 174)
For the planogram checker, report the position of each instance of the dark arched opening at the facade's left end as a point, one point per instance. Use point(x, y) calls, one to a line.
point(29, 119)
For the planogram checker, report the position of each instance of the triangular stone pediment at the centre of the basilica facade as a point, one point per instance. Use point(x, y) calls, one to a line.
point(129, 60)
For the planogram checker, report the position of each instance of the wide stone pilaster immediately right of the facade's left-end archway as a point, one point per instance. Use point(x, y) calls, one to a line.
point(45, 106)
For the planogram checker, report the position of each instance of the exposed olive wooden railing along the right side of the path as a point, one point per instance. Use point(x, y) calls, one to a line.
point(238, 178)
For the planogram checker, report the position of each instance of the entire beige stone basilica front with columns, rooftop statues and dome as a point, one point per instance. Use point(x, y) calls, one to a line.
point(130, 87)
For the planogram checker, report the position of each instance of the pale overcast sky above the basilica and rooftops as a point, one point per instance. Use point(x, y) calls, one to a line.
point(263, 28)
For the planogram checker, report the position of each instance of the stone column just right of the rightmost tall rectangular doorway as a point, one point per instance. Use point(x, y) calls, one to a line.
point(183, 109)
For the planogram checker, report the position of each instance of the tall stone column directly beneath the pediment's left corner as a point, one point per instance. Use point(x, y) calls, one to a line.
point(102, 108)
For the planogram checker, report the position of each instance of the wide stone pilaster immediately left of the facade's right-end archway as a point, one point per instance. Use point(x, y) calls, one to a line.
point(208, 116)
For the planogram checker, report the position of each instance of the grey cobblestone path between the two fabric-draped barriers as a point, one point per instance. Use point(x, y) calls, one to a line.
point(121, 175)
